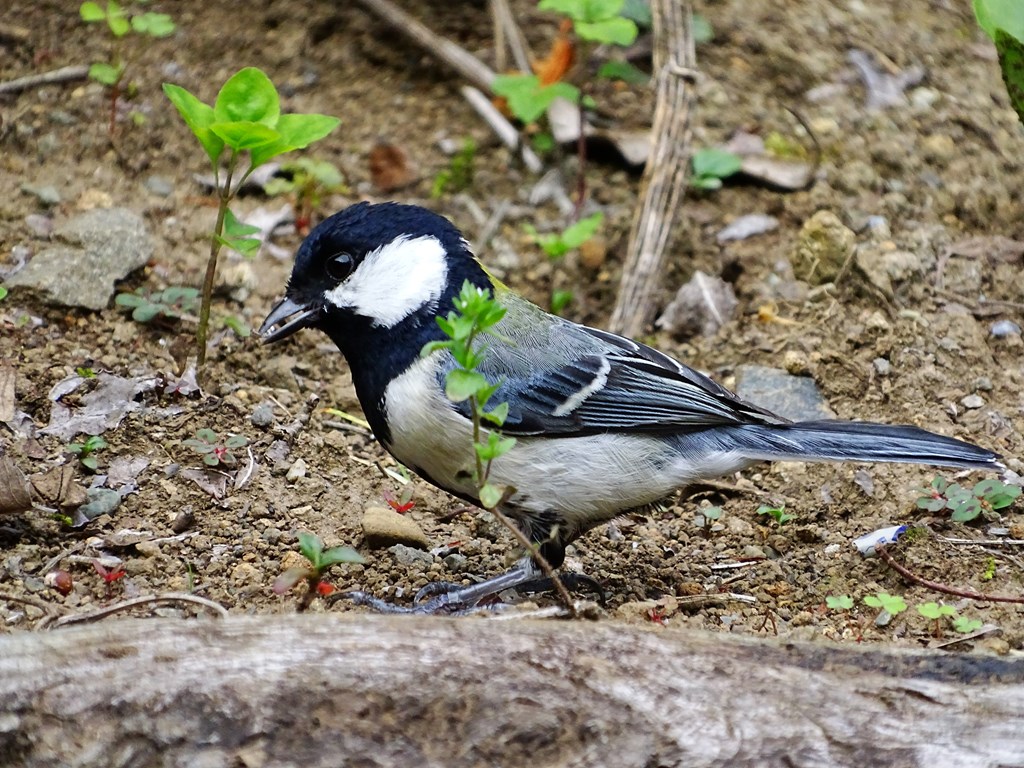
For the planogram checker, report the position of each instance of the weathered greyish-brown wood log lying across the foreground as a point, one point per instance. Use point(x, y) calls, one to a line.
point(333, 691)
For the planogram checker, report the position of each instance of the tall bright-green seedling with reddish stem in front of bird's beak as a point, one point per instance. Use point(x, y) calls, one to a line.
point(245, 121)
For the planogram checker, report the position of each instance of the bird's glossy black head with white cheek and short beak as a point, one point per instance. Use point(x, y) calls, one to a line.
point(376, 267)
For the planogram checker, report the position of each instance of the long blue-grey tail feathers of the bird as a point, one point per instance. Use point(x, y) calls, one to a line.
point(861, 442)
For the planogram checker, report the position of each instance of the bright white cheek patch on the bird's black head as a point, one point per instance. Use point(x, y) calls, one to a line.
point(395, 281)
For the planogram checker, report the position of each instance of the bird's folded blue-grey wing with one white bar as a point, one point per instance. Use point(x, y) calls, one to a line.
point(579, 380)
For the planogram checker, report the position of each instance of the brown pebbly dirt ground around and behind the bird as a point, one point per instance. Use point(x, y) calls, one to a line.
point(943, 167)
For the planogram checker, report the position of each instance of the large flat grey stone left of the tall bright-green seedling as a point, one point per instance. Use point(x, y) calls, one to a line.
point(100, 248)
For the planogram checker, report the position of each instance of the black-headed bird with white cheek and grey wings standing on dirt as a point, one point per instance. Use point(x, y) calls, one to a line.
point(604, 424)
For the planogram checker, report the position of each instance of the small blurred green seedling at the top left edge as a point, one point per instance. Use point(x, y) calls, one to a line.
point(121, 21)
